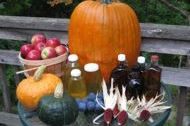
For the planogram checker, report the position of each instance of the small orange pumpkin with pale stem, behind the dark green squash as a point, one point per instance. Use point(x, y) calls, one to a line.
point(31, 89)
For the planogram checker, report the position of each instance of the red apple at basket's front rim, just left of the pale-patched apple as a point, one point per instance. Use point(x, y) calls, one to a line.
point(33, 55)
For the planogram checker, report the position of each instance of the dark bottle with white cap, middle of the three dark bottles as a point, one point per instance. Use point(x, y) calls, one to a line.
point(136, 78)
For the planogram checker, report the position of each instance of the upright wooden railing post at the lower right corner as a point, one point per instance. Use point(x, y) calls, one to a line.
point(181, 106)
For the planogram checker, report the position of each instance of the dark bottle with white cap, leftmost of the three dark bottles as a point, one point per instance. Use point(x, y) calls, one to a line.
point(120, 73)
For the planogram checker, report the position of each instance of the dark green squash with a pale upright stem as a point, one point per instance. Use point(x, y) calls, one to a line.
point(58, 109)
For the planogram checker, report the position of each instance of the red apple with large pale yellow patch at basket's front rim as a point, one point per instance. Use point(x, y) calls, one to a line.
point(48, 52)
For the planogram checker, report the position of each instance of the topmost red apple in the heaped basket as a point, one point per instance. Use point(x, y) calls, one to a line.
point(37, 38)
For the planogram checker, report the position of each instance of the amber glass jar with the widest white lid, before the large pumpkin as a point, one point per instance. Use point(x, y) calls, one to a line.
point(92, 77)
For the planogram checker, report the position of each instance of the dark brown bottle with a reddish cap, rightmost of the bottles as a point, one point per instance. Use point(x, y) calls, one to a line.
point(152, 78)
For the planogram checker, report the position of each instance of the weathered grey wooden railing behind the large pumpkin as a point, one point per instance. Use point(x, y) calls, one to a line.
point(164, 39)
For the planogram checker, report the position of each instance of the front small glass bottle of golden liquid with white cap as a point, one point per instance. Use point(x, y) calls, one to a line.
point(76, 85)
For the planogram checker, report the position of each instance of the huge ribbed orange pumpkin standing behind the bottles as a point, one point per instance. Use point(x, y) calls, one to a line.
point(100, 30)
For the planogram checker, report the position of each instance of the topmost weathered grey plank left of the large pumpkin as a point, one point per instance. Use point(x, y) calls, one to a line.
point(37, 23)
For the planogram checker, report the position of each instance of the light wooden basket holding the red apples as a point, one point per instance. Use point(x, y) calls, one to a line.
point(54, 65)
